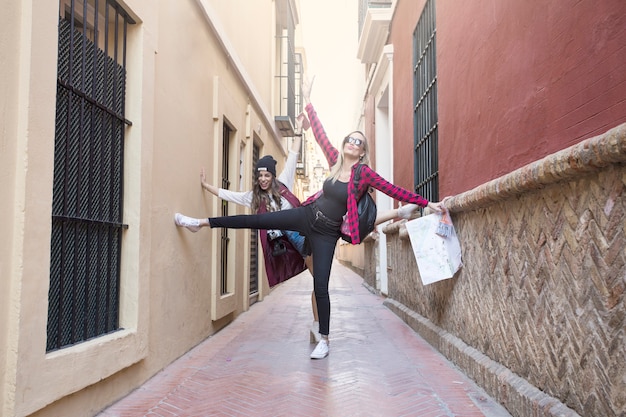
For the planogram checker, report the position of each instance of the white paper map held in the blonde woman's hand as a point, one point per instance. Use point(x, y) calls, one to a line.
point(438, 257)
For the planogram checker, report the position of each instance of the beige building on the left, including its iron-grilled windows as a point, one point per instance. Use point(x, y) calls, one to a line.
point(110, 110)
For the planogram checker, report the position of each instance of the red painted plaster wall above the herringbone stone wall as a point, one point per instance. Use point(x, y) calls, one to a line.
point(517, 80)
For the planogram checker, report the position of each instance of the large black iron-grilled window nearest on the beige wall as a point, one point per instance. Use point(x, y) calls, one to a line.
point(87, 217)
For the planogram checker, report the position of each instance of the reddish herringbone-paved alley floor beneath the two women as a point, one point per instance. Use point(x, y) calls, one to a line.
point(259, 365)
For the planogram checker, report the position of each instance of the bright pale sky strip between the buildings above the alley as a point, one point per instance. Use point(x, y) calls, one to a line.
point(330, 38)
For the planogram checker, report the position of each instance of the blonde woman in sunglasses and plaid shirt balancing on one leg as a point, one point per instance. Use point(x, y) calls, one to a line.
point(319, 218)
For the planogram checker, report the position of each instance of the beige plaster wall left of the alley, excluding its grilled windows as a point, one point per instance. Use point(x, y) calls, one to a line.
point(193, 65)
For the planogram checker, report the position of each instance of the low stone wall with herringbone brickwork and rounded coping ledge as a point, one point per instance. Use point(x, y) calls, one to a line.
point(537, 313)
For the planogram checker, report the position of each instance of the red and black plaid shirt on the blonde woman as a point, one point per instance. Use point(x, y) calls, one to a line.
point(369, 178)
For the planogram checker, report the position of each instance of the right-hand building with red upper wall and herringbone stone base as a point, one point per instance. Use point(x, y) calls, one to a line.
point(516, 111)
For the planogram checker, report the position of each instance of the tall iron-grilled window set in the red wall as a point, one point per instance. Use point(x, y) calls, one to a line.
point(425, 119)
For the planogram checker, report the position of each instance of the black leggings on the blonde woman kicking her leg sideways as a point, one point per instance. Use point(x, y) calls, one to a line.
point(321, 234)
